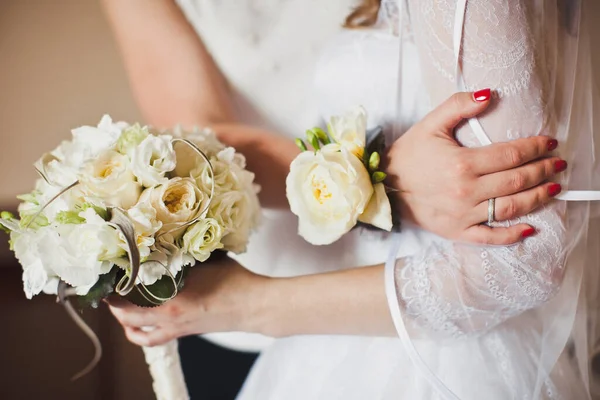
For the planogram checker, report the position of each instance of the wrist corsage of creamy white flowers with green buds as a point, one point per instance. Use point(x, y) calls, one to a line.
point(337, 184)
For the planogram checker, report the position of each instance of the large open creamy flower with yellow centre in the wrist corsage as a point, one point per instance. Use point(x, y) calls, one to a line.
point(328, 191)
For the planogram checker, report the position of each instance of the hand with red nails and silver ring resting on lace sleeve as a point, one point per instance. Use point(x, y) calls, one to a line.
point(444, 188)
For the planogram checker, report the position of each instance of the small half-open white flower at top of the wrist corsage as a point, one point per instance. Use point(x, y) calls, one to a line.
point(350, 130)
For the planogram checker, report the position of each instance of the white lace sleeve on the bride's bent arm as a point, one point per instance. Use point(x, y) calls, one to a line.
point(456, 289)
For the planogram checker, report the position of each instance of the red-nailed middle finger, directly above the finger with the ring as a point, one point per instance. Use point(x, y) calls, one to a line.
point(516, 180)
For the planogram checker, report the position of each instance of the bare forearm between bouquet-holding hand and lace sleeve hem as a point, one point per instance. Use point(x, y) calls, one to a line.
point(348, 302)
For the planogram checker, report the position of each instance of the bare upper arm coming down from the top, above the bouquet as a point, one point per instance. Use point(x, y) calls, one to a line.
point(173, 78)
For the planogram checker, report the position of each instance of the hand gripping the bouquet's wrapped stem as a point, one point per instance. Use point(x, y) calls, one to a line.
point(217, 296)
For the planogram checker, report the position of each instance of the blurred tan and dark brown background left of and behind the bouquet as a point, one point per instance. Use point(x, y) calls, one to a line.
point(59, 68)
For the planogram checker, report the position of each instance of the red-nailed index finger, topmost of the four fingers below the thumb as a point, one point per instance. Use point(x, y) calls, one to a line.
point(502, 156)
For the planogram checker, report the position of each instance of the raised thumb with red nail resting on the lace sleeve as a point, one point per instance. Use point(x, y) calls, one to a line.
point(463, 105)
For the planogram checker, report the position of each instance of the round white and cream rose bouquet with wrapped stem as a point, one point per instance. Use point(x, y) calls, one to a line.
point(121, 209)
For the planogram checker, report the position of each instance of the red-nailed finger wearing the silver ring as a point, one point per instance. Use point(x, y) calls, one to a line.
point(518, 205)
